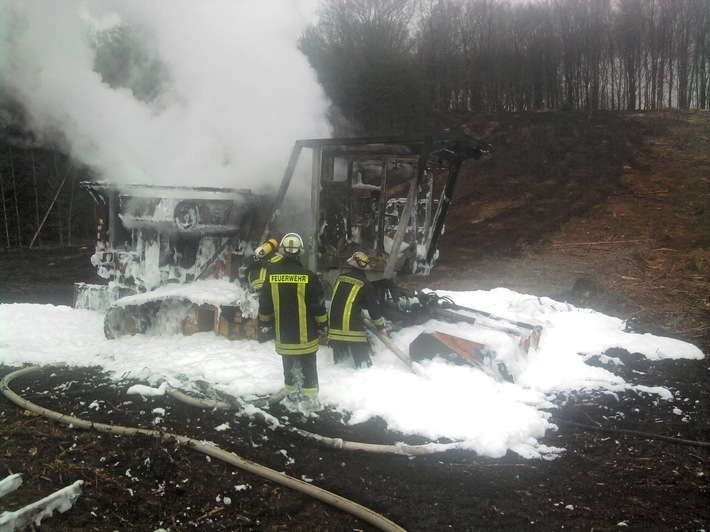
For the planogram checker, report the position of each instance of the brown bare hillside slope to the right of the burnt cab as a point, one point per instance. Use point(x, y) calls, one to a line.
point(609, 211)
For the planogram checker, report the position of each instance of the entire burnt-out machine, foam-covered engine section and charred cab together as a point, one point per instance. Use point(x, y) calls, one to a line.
point(174, 257)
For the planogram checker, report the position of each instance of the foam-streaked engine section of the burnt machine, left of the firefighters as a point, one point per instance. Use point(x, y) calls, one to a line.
point(153, 242)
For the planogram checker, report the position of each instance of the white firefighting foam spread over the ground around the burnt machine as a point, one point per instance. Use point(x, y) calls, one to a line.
point(462, 404)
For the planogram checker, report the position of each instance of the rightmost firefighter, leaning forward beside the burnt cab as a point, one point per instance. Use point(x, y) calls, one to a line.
point(352, 294)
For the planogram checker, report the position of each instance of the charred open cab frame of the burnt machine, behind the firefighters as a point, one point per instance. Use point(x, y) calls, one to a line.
point(387, 197)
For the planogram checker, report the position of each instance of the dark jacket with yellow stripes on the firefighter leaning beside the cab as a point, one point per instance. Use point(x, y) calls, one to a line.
point(352, 294)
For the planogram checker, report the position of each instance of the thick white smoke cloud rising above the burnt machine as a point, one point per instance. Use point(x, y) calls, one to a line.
point(172, 92)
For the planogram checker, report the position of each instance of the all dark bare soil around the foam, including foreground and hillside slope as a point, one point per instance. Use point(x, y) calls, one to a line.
point(605, 211)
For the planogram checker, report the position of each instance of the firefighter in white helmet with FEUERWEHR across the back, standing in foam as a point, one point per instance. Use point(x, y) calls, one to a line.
point(292, 304)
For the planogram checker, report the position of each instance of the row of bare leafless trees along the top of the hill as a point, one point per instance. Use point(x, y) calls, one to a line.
point(381, 60)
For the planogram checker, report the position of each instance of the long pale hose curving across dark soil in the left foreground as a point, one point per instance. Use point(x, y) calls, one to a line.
point(322, 495)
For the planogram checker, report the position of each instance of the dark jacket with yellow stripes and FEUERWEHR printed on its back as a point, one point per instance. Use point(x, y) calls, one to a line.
point(292, 301)
